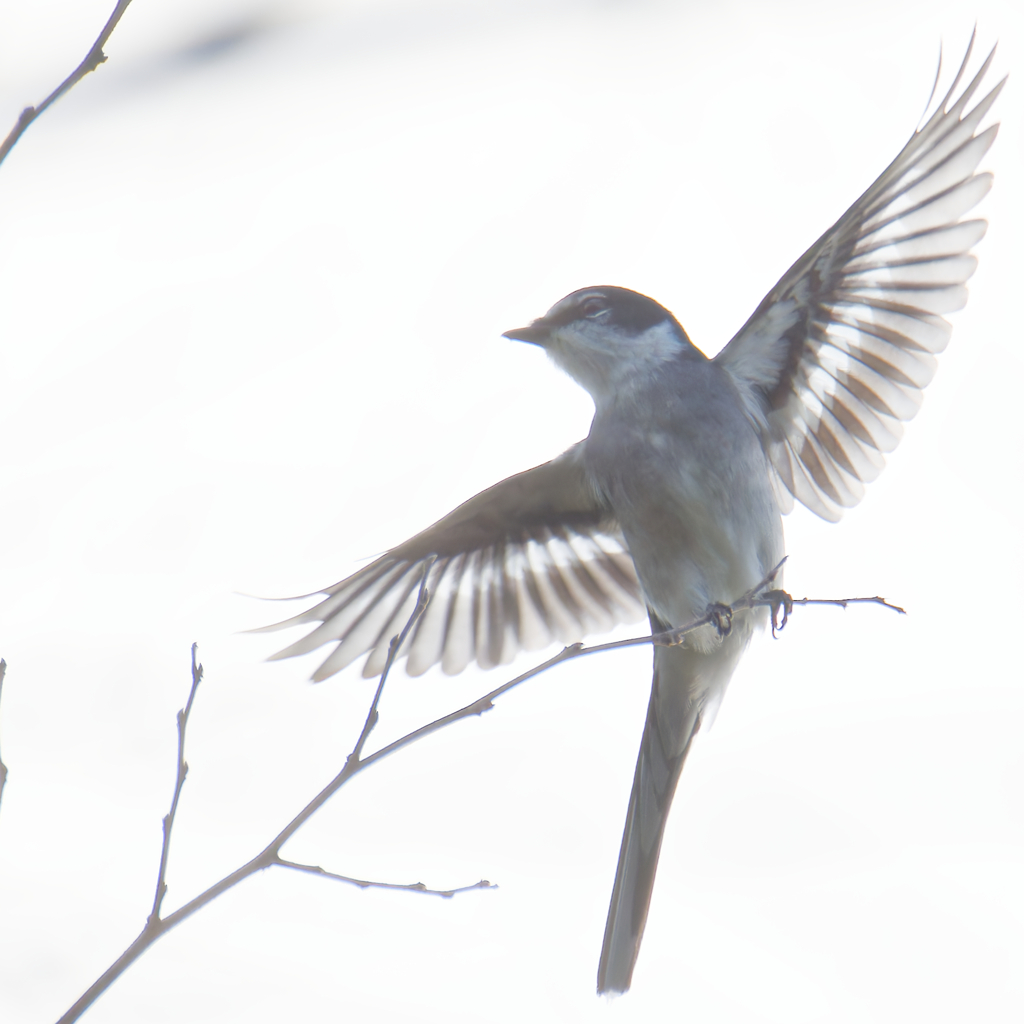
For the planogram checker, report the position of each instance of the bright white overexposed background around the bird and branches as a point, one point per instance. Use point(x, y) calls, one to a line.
point(252, 297)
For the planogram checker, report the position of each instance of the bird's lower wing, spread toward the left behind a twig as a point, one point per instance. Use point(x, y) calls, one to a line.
point(533, 560)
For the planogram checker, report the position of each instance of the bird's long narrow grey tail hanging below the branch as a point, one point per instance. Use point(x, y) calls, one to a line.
point(673, 720)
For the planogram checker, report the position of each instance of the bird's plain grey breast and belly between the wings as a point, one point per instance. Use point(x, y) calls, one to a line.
point(686, 475)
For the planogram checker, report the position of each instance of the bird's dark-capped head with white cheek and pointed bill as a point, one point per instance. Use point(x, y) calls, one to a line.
point(606, 336)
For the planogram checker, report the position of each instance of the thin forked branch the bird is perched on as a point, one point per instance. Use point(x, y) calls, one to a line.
point(719, 616)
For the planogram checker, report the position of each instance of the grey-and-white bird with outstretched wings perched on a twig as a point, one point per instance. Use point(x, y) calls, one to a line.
point(673, 504)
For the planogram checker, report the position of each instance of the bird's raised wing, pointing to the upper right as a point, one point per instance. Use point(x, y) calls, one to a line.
point(837, 355)
